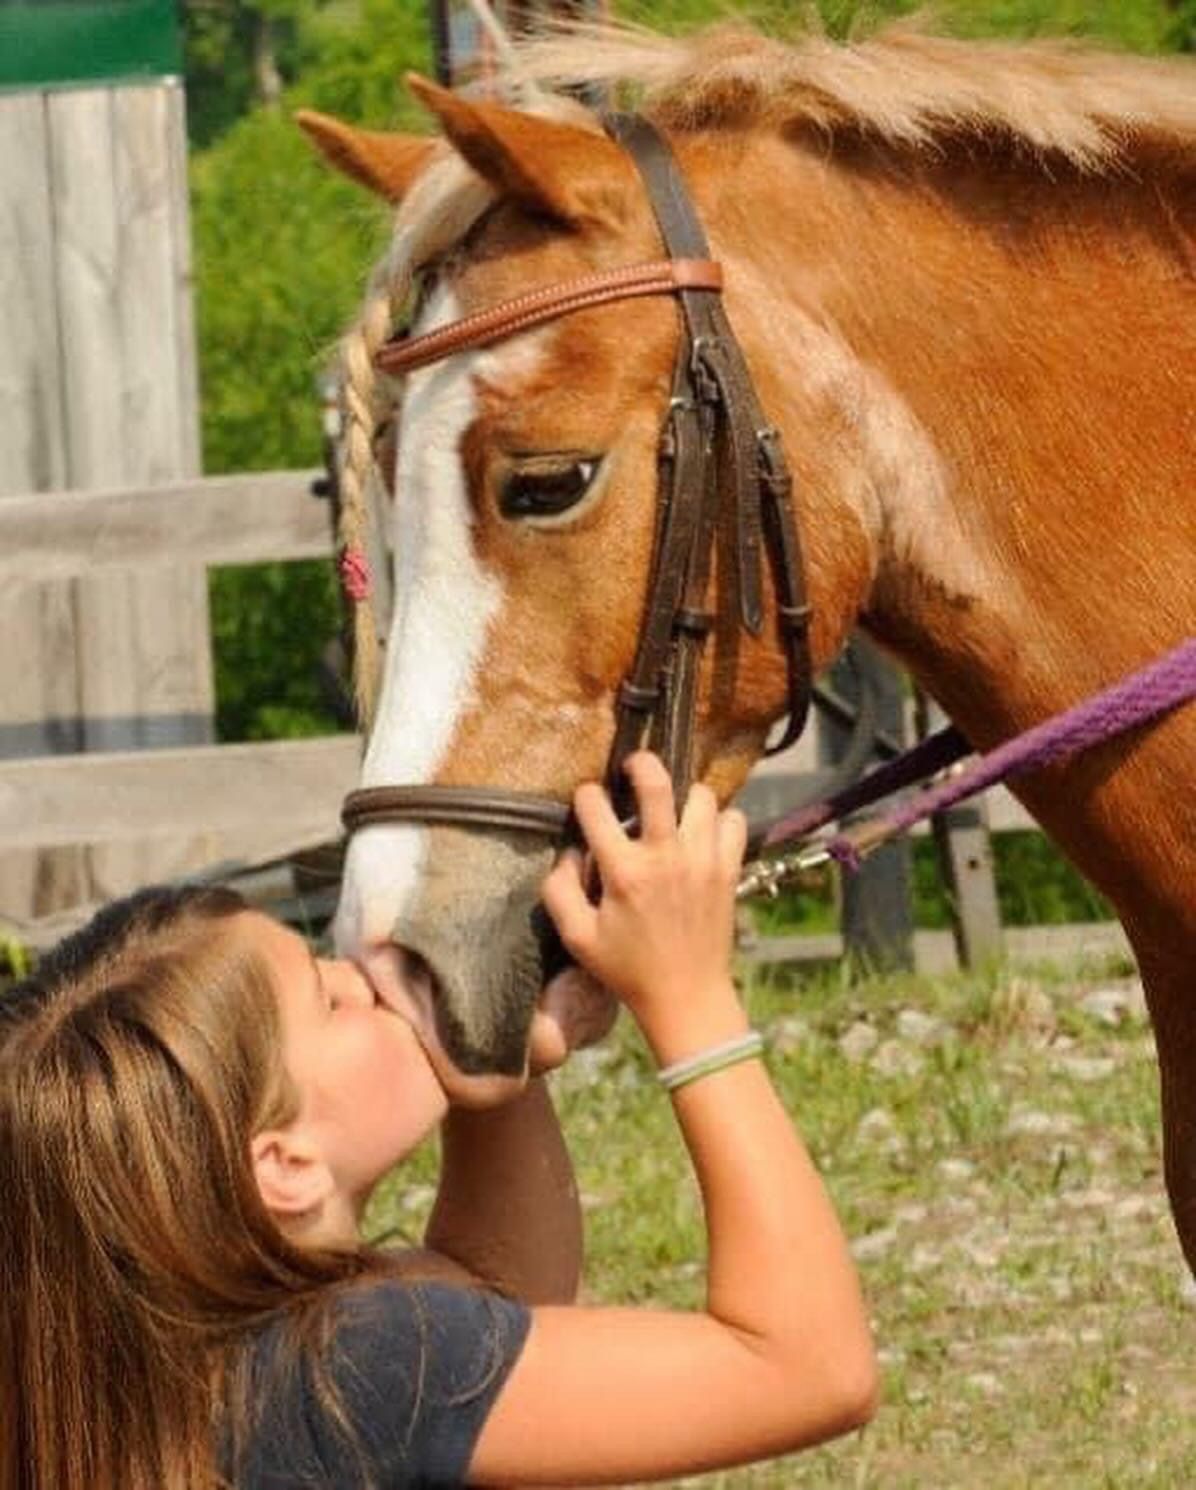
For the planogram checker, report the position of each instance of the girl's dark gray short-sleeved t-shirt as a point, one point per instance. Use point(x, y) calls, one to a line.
point(416, 1369)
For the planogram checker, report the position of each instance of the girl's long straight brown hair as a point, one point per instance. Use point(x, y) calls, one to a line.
point(136, 1254)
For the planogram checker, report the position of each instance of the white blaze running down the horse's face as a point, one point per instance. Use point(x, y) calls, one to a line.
point(445, 603)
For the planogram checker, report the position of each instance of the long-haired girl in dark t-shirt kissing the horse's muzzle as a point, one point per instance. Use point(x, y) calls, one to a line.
point(193, 1111)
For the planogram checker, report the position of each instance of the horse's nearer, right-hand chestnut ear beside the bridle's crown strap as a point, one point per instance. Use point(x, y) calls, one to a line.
point(546, 166)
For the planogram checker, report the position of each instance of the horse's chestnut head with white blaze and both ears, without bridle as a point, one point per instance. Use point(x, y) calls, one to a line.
point(527, 504)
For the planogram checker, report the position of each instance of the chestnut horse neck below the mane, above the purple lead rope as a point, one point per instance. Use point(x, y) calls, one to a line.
point(1003, 354)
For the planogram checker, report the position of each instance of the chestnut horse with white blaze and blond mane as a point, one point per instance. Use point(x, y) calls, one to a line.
point(966, 282)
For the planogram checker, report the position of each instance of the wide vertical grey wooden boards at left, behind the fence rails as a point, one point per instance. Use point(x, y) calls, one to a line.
point(101, 390)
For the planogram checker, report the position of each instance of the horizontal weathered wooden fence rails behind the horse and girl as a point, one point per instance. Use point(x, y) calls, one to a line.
point(220, 810)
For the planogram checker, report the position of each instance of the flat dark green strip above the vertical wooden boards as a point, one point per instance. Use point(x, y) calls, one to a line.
point(87, 41)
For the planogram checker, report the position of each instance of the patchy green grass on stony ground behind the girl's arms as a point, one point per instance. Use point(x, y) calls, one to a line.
point(1003, 1185)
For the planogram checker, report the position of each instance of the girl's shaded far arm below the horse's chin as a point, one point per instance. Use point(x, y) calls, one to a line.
point(507, 1208)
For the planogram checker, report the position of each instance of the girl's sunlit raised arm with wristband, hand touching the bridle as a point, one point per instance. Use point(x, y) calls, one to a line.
point(783, 1354)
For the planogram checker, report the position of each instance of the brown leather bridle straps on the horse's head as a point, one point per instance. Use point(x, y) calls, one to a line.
point(716, 436)
